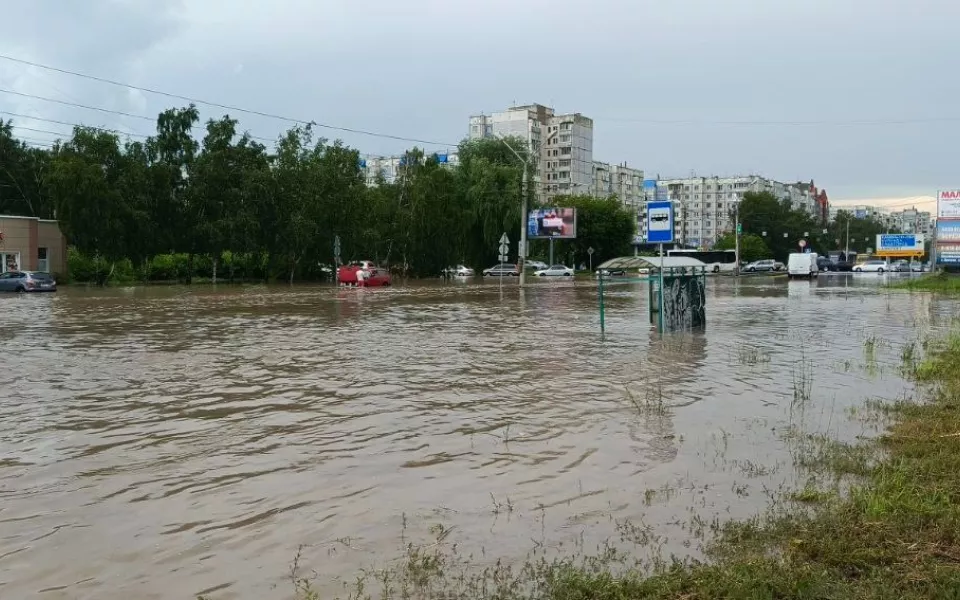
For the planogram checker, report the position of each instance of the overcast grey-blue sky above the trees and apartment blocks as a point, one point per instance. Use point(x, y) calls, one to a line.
point(860, 96)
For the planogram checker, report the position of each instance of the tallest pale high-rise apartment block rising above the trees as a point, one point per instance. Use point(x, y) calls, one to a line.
point(562, 146)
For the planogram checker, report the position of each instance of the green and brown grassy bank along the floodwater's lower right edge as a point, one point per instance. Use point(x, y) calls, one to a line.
point(892, 533)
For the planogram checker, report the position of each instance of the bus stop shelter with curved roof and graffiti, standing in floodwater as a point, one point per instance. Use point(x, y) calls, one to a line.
point(676, 293)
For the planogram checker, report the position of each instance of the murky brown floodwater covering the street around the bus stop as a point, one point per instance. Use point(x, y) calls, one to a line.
point(163, 442)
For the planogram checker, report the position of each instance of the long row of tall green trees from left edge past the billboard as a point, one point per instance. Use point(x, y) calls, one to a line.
point(227, 204)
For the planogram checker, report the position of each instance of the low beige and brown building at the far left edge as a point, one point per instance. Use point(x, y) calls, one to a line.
point(31, 244)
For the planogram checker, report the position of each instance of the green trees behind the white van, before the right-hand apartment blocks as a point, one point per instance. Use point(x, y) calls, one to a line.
point(772, 228)
